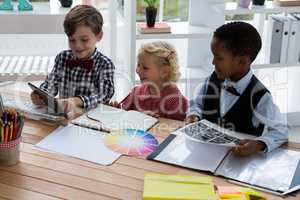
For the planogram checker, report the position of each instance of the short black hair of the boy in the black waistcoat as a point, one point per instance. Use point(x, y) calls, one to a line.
point(240, 38)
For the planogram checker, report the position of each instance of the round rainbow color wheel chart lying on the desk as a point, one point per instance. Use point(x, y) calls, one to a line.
point(131, 142)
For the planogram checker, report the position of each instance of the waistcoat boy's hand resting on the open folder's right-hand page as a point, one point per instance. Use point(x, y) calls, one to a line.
point(247, 147)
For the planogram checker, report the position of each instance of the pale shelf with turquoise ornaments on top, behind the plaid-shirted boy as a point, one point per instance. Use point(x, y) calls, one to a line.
point(45, 18)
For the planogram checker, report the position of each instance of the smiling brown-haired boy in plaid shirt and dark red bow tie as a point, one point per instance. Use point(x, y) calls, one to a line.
point(81, 76)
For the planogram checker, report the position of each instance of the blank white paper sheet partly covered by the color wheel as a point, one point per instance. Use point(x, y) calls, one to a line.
point(79, 142)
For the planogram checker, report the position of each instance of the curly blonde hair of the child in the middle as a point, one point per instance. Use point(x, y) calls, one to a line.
point(166, 54)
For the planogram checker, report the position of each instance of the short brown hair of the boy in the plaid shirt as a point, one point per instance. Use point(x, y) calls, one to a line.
point(83, 15)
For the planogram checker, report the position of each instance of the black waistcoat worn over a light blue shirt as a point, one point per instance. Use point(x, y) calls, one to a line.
point(239, 117)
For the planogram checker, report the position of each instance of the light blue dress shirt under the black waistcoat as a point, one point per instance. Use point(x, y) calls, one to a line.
point(266, 112)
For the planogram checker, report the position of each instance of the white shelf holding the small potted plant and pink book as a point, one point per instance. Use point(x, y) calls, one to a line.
point(180, 30)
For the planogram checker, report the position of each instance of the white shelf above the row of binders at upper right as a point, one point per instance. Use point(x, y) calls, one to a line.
point(269, 7)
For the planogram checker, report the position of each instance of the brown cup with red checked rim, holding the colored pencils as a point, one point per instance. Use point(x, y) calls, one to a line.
point(9, 152)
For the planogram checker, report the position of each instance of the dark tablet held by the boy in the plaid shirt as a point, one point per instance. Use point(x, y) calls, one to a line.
point(51, 102)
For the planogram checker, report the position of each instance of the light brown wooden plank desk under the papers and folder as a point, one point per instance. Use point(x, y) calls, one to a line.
point(40, 175)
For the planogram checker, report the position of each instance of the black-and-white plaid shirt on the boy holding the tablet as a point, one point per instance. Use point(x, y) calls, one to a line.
point(93, 87)
